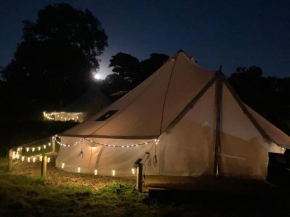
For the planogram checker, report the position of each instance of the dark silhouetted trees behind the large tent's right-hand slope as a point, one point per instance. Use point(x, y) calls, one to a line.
point(267, 95)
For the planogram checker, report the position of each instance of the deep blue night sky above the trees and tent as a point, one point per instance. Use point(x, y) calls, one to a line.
point(229, 33)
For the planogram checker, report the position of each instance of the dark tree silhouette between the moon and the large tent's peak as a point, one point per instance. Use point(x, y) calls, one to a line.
point(130, 72)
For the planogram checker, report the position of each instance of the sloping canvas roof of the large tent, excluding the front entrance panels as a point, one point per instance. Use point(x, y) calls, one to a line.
point(158, 102)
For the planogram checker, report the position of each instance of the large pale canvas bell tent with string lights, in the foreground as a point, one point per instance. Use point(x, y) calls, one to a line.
point(182, 121)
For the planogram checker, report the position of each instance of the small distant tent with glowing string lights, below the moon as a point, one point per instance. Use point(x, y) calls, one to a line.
point(81, 109)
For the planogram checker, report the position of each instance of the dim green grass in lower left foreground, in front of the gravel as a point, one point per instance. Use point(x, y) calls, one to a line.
point(26, 196)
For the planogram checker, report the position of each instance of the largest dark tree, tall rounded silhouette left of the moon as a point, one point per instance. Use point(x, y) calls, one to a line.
point(54, 62)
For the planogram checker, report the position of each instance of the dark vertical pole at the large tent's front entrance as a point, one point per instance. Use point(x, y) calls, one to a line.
point(218, 105)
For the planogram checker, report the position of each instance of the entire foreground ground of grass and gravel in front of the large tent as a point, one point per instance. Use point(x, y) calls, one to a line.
point(23, 193)
